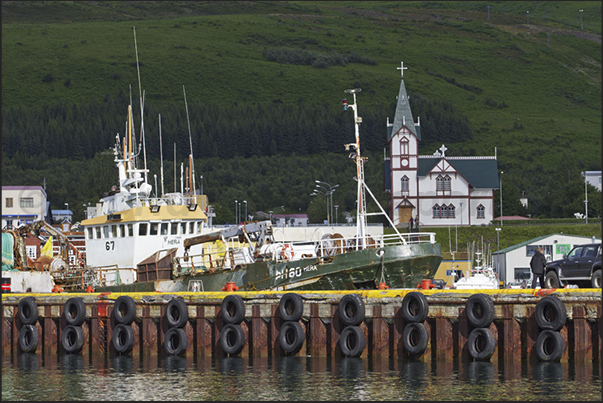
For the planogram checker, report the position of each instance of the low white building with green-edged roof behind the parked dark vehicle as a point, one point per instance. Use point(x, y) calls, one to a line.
point(513, 263)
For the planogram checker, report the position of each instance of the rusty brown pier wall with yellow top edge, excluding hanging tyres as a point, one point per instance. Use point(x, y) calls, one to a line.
point(514, 328)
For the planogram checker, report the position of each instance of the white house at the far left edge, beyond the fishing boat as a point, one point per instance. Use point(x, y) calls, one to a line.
point(23, 205)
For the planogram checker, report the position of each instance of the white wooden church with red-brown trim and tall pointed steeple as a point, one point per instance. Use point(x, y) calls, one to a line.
point(438, 189)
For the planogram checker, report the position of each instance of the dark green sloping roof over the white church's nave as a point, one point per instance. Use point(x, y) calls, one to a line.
point(479, 172)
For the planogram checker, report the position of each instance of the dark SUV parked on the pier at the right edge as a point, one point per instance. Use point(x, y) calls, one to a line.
point(581, 264)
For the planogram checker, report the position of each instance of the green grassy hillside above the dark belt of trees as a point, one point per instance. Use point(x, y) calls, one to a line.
point(532, 92)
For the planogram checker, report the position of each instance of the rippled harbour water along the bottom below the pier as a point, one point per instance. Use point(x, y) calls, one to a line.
point(73, 377)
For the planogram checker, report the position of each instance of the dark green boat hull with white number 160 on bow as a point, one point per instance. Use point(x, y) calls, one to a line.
point(398, 266)
